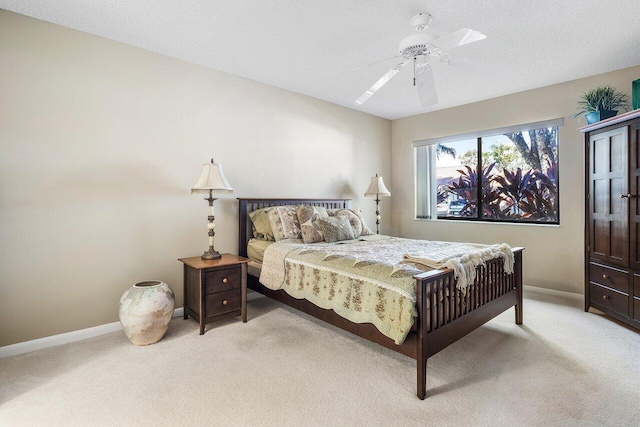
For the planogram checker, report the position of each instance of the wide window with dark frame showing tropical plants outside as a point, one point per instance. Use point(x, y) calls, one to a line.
point(503, 175)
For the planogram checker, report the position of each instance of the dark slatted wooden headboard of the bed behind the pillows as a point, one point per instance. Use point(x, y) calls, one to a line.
point(247, 205)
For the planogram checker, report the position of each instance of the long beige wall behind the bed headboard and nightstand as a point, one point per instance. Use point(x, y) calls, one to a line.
point(100, 143)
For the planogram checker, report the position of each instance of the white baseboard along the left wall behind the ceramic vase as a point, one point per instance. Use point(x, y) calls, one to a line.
point(68, 337)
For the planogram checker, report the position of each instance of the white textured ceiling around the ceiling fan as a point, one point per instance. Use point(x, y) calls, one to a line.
point(310, 46)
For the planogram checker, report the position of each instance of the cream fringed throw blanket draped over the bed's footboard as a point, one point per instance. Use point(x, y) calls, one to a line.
point(462, 258)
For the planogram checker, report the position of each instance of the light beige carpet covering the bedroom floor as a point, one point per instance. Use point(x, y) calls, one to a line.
point(283, 368)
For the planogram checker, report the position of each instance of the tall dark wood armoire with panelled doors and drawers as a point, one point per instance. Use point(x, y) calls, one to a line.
point(612, 217)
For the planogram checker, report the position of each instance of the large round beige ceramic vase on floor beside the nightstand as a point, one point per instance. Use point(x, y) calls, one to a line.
point(146, 309)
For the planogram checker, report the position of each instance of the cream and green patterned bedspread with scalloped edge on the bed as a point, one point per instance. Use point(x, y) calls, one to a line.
point(369, 280)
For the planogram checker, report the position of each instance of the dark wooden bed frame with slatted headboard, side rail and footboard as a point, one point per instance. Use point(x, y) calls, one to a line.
point(444, 315)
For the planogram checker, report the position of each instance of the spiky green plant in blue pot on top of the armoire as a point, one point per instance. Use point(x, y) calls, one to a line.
point(601, 103)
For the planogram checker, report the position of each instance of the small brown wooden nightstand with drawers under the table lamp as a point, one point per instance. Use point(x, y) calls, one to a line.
point(215, 289)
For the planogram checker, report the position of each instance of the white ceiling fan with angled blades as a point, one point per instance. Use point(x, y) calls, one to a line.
point(420, 49)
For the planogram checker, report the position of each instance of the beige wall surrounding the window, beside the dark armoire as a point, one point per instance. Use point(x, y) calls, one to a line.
point(554, 255)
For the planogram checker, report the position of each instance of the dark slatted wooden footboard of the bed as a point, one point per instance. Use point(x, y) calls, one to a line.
point(446, 314)
